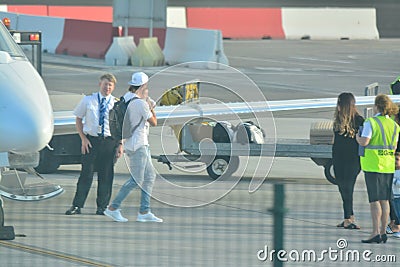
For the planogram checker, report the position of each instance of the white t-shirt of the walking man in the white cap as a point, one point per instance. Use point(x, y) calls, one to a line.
point(136, 110)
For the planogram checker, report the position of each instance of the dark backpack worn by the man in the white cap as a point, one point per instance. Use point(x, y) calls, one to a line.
point(116, 119)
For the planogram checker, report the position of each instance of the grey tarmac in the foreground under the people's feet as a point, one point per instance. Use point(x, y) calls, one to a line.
point(227, 232)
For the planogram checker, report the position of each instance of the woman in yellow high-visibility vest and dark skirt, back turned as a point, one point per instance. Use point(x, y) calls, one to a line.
point(379, 139)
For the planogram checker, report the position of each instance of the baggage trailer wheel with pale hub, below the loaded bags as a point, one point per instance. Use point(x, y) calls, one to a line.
point(223, 165)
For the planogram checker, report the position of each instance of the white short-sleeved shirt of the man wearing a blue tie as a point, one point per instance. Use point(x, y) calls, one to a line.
point(89, 110)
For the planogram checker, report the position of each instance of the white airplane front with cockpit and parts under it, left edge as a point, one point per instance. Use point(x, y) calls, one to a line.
point(26, 121)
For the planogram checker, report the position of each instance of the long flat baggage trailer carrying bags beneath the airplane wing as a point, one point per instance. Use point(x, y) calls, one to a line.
point(223, 158)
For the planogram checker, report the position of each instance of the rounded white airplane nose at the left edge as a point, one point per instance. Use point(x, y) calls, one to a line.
point(26, 116)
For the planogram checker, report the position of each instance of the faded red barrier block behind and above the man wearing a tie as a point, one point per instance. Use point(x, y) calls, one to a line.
point(86, 38)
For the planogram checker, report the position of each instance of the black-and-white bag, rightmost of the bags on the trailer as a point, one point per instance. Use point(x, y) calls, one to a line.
point(248, 132)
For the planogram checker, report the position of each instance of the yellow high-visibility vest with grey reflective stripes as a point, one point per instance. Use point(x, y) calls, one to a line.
point(379, 153)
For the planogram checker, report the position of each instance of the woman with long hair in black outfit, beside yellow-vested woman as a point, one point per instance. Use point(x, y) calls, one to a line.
point(346, 161)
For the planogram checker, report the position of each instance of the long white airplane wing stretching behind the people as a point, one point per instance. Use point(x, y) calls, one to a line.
point(64, 121)
